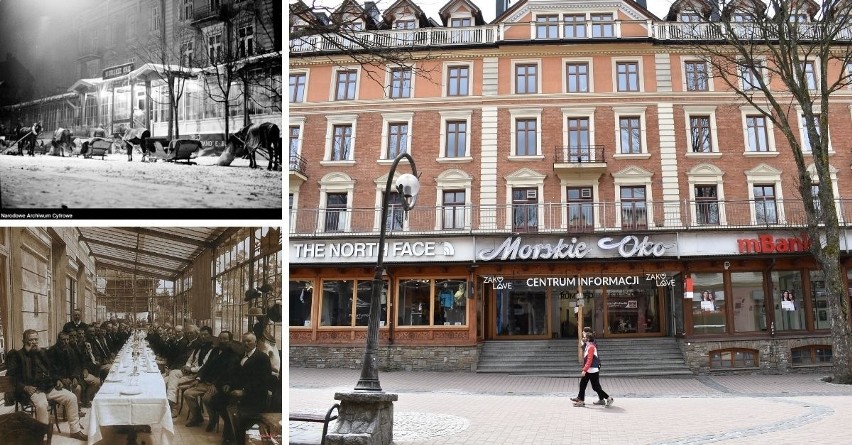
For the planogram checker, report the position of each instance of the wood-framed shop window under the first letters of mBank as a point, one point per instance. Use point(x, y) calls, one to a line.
point(748, 300)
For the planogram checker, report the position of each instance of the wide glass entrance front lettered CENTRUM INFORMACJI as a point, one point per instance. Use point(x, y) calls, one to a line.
point(550, 307)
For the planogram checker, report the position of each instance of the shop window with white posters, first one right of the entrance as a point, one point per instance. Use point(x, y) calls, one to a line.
point(708, 303)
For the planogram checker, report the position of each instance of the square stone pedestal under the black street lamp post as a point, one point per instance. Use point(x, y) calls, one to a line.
point(366, 418)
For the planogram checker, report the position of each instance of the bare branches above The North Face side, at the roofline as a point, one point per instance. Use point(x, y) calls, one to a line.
point(361, 35)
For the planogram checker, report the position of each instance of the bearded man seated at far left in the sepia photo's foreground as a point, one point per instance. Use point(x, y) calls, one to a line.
point(30, 371)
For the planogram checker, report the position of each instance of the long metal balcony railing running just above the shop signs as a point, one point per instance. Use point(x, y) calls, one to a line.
point(580, 217)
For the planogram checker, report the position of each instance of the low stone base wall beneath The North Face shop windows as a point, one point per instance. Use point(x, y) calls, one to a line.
point(391, 358)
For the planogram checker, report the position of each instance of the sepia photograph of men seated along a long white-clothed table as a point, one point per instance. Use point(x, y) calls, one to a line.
point(129, 335)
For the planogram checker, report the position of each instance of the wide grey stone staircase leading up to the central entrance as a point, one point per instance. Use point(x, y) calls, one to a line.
point(634, 357)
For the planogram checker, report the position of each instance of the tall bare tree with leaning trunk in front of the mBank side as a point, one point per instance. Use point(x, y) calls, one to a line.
point(786, 58)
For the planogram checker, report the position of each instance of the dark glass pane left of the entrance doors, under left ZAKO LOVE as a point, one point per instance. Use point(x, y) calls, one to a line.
point(521, 310)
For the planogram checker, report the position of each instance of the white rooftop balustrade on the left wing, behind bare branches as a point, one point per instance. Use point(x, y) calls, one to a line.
point(402, 38)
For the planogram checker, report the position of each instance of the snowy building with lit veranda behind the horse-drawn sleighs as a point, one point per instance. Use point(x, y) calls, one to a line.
point(127, 49)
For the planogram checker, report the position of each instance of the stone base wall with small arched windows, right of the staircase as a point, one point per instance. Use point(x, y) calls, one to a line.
point(774, 356)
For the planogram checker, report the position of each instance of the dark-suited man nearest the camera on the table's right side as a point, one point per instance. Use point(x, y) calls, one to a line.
point(247, 389)
